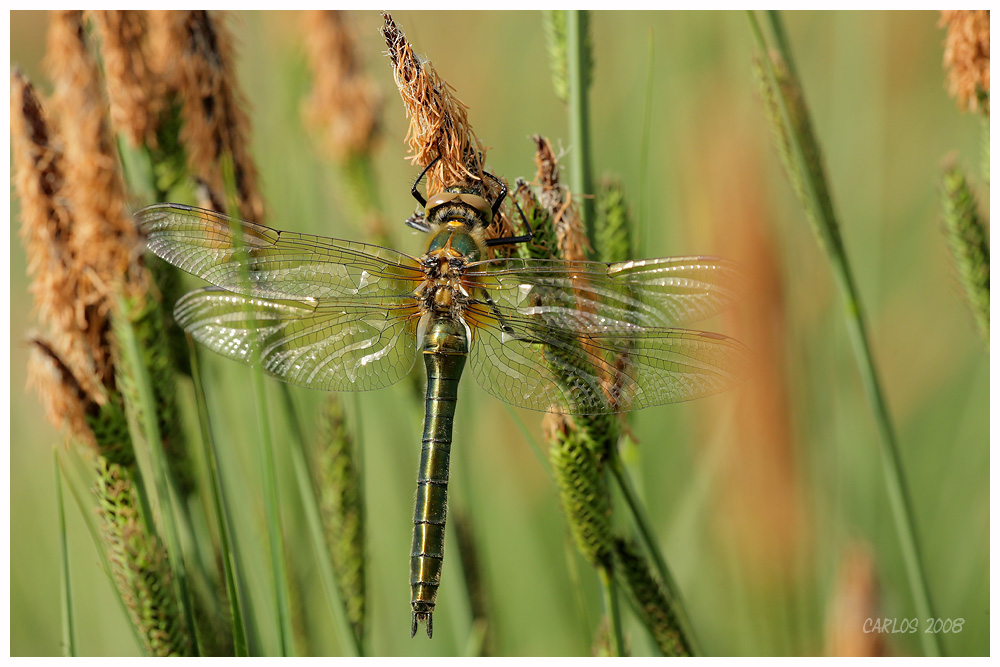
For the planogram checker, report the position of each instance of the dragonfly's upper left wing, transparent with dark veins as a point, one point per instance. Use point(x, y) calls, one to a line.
point(271, 263)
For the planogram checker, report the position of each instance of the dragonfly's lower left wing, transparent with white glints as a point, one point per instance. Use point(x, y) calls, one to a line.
point(333, 345)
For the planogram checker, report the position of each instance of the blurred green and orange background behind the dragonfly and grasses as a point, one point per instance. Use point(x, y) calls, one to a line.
point(765, 500)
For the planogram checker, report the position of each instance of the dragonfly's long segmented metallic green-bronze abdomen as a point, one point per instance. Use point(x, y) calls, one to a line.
point(445, 349)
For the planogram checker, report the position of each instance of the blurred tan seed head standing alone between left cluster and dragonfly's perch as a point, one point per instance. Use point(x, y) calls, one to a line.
point(345, 104)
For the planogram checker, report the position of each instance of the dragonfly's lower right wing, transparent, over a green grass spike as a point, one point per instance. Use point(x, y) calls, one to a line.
point(563, 359)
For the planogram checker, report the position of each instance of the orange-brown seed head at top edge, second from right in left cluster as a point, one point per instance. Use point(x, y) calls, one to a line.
point(137, 93)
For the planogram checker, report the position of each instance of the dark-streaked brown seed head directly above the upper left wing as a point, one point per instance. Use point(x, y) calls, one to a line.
point(195, 52)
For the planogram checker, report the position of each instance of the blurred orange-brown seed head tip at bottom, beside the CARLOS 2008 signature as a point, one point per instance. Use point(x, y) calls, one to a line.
point(854, 603)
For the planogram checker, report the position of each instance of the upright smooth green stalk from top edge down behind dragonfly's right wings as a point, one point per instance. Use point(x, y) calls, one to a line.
point(579, 64)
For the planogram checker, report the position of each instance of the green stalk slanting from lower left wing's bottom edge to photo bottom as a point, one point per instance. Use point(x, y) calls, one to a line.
point(347, 639)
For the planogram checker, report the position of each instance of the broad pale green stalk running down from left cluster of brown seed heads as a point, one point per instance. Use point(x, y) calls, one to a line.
point(133, 359)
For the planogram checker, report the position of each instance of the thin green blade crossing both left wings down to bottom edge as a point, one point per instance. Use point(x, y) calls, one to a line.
point(268, 462)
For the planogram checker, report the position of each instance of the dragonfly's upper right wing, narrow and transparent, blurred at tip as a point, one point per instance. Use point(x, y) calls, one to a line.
point(663, 292)
